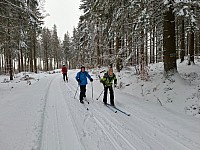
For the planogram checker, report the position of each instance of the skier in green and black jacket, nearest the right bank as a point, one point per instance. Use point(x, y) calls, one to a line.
point(107, 82)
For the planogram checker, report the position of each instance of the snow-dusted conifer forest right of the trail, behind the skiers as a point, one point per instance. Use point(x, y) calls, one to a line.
point(137, 33)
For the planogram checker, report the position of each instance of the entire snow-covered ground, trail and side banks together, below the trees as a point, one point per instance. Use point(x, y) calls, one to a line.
point(39, 112)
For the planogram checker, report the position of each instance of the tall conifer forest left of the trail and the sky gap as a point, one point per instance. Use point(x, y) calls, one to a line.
point(25, 45)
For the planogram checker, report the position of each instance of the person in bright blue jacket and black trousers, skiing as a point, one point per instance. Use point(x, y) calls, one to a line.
point(81, 78)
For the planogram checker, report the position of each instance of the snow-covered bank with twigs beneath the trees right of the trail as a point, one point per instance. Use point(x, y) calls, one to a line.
point(180, 93)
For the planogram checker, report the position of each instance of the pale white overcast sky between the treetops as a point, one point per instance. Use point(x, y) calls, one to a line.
point(64, 13)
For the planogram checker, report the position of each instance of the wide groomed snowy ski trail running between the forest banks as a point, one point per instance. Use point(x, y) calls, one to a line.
point(45, 116)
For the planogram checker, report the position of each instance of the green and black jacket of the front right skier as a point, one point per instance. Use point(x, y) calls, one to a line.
point(108, 80)
